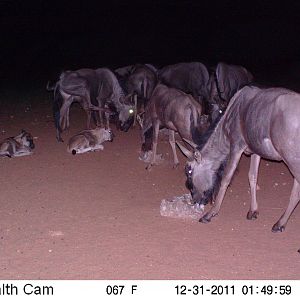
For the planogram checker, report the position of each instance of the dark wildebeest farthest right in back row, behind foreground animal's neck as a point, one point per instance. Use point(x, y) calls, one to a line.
point(225, 81)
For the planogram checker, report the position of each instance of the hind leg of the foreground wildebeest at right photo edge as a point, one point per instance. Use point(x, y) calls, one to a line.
point(294, 200)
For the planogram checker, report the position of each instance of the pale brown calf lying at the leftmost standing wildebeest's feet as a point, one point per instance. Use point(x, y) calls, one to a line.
point(89, 140)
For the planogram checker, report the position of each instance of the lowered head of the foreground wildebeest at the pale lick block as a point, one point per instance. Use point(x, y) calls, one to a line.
point(203, 176)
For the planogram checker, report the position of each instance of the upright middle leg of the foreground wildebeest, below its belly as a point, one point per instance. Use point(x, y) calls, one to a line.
point(252, 176)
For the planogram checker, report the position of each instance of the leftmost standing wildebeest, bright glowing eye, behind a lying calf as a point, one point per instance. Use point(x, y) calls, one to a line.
point(95, 90)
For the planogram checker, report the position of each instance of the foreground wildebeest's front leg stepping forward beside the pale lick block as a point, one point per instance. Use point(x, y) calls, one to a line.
point(229, 171)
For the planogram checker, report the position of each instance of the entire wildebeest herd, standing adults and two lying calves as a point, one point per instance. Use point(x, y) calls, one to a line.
point(218, 113)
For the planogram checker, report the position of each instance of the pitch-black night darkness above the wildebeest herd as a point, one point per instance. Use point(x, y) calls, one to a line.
point(39, 39)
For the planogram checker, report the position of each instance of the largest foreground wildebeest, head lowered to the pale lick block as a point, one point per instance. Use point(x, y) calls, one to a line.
point(260, 122)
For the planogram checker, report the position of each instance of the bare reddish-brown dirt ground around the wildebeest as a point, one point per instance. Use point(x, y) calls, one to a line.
point(96, 215)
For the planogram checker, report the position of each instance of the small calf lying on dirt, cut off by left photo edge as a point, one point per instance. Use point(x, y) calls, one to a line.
point(19, 145)
